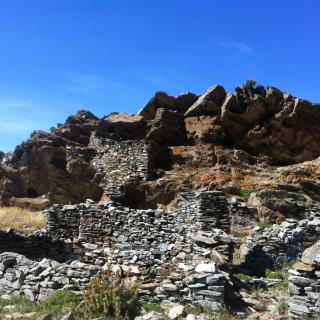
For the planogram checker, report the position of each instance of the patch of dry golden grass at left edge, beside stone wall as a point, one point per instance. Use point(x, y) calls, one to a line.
point(21, 220)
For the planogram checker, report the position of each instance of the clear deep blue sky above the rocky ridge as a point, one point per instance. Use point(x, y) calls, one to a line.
point(59, 56)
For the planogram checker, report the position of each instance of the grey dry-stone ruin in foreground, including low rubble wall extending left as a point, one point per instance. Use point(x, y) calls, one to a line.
point(176, 256)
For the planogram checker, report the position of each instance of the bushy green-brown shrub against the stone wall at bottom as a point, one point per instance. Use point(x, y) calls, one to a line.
point(110, 297)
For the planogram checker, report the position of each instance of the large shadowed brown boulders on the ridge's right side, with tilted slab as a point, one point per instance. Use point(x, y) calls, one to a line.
point(263, 122)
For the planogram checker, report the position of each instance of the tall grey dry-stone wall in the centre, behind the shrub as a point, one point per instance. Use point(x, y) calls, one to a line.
point(174, 254)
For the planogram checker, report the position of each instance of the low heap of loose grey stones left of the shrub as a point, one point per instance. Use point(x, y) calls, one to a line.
point(37, 280)
